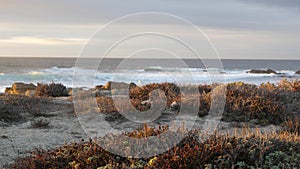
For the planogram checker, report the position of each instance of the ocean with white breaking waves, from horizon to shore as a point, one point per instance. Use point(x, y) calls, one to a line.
point(140, 71)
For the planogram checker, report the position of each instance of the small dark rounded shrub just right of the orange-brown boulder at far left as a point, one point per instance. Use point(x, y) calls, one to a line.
point(51, 90)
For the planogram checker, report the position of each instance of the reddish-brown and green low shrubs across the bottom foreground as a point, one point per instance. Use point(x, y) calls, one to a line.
point(240, 150)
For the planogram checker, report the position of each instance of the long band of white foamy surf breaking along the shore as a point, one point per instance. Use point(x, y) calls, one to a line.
point(89, 78)
